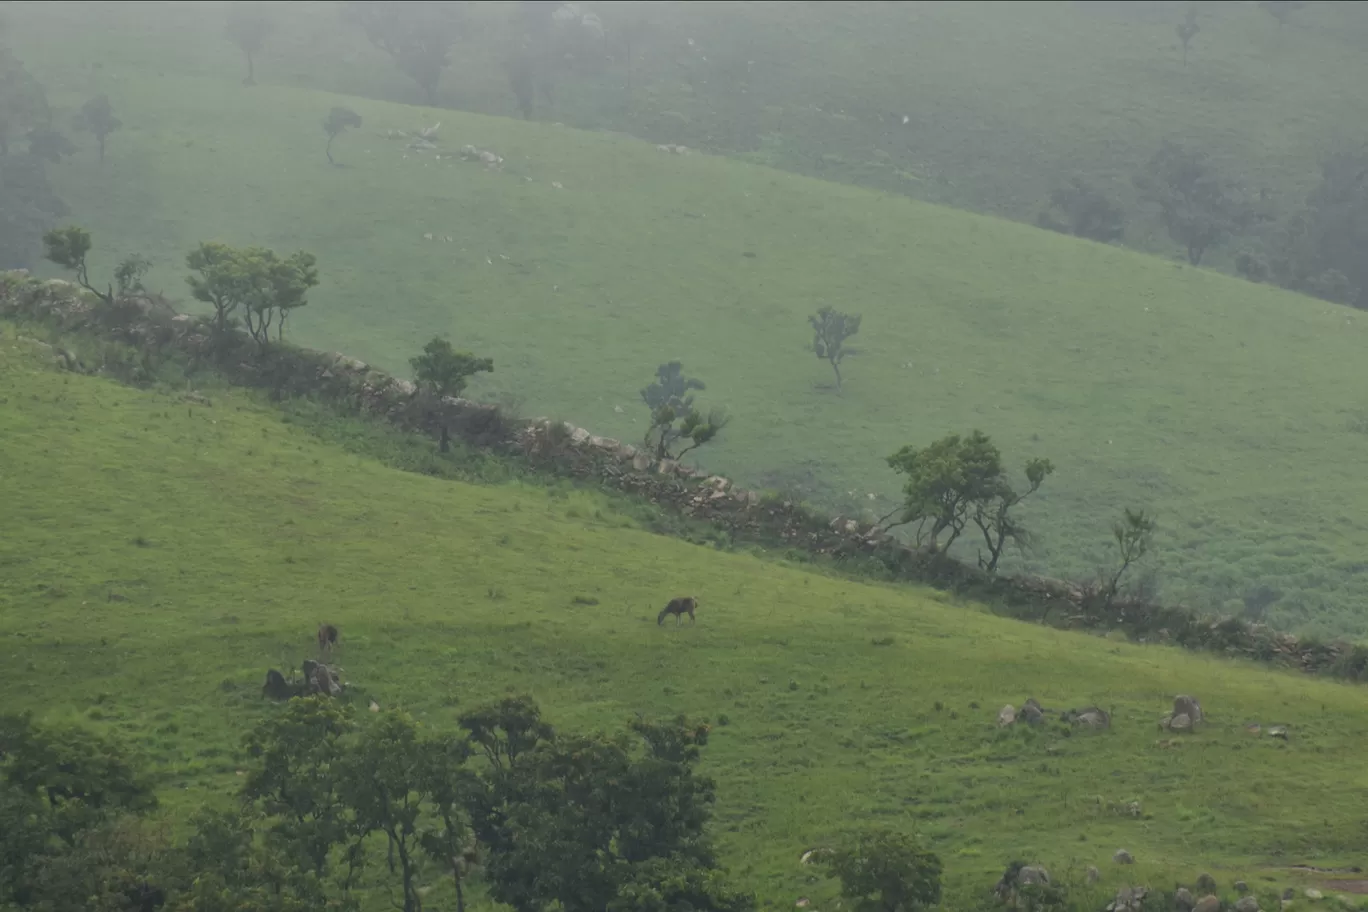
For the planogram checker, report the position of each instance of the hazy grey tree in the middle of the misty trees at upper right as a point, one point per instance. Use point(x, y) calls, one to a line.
point(1196, 207)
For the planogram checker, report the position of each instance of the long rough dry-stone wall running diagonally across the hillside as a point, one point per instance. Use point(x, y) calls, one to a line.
point(155, 329)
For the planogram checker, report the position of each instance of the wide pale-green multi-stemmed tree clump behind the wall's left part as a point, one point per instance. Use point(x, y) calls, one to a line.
point(266, 288)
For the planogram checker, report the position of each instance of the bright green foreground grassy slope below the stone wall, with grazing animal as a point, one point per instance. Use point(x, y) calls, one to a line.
point(161, 556)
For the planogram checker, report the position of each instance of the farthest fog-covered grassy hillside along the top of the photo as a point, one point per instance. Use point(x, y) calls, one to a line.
point(1005, 102)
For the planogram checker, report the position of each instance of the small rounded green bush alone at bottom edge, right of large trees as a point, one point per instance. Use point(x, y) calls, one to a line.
point(887, 872)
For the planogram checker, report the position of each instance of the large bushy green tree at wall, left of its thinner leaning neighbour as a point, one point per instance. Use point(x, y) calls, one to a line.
point(946, 482)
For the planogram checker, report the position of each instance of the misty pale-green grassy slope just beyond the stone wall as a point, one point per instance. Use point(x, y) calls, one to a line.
point(1228, 408)
